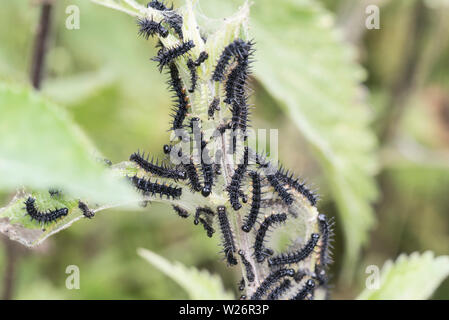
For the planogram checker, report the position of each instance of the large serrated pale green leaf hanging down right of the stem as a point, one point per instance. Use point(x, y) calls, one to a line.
point(304, 65)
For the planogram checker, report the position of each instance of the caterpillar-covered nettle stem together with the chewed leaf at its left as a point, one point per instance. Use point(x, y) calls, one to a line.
point(266, 217)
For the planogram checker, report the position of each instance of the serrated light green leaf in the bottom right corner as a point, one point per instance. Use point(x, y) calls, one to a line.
point(413, 277)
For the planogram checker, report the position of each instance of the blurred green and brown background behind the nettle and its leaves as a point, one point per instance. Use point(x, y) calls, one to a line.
point(102, 75)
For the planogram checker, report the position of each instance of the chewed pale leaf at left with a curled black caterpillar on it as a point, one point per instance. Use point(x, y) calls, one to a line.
point(17, 223)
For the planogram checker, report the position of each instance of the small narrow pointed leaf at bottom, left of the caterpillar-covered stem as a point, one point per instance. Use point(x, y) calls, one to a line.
point(199, 284)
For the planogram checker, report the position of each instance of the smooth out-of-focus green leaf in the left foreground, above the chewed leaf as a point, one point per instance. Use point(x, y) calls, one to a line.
point(41, 148)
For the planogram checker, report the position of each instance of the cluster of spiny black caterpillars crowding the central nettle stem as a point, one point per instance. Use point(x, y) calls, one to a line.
point(254, 179)
